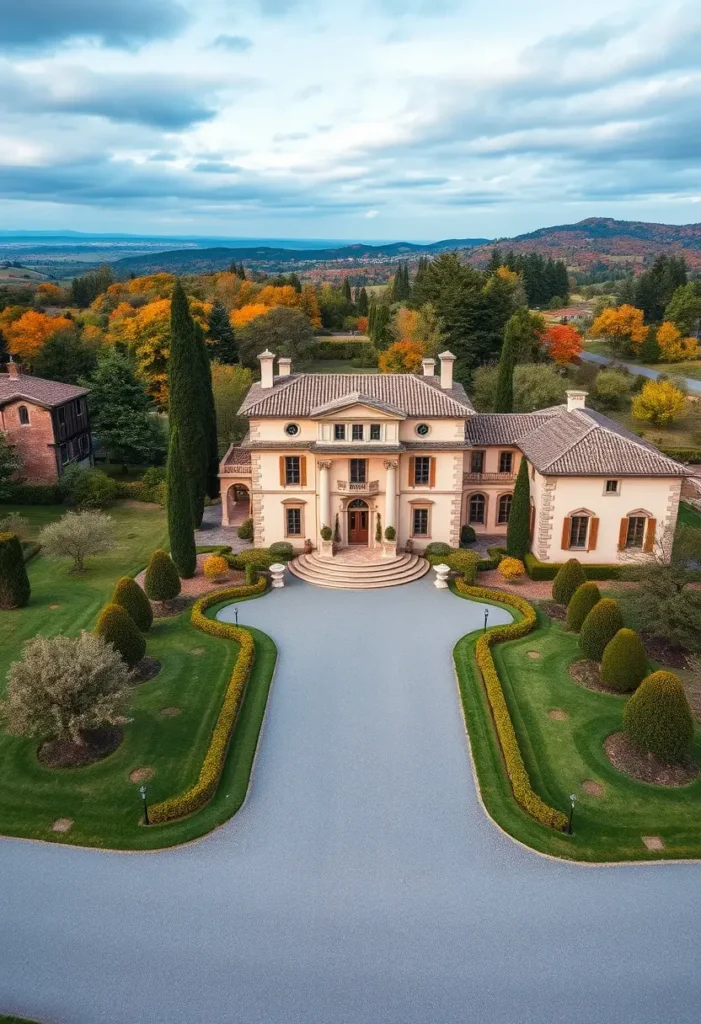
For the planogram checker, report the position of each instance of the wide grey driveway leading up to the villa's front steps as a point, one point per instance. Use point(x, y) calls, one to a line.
point(361, 883)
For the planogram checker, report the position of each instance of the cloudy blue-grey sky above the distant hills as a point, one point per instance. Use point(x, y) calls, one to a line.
point(382, 119)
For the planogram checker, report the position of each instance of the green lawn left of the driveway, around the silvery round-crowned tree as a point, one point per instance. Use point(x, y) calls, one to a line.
point(196, 668)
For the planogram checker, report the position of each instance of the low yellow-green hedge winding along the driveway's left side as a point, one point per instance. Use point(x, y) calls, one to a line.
point(213, 765)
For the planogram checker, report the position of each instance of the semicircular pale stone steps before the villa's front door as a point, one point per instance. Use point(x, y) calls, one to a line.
point(360, 576)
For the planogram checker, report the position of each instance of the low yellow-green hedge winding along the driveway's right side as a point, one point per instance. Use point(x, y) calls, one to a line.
point(516, 770)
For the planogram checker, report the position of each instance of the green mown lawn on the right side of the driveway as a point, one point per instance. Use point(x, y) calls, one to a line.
point(562, 755)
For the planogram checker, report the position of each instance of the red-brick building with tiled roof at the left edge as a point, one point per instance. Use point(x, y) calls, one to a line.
point(47, 423)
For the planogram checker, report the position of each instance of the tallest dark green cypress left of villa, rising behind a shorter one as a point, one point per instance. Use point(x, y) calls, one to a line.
point(187, 401)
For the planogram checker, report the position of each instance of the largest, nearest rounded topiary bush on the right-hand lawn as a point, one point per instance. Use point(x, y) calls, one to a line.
point(658, 719)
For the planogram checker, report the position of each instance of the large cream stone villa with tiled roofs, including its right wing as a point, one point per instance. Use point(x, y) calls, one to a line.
point(409, 451)
